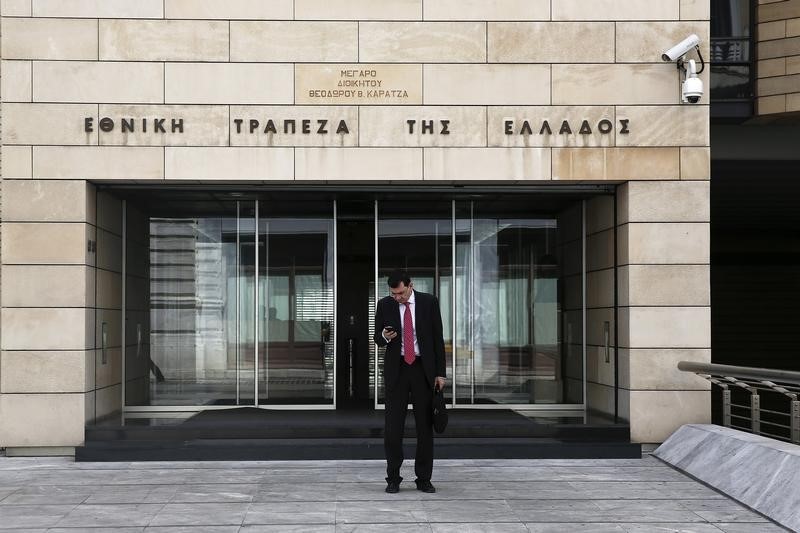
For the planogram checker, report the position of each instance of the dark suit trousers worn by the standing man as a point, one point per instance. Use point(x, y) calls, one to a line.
point(411, 381)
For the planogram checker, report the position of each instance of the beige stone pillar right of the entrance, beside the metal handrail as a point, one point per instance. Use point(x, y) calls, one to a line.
point(664, 297)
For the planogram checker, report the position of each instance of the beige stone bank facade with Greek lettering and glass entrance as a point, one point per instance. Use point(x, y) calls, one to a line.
point(201, 201)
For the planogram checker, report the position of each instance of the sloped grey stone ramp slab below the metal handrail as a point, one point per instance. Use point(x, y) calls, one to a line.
point(762, 473)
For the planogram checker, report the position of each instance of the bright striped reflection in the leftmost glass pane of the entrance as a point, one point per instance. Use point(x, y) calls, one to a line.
point(198, 352)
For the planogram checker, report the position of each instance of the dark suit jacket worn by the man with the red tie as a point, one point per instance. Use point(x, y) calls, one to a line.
point(429, 336)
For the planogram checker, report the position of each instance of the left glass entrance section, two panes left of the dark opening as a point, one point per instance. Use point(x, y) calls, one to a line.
point(229, 303)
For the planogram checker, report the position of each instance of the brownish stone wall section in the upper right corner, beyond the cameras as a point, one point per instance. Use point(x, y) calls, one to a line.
point(778, 53)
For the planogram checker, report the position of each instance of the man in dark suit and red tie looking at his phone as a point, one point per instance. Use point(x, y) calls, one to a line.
point(409, 324)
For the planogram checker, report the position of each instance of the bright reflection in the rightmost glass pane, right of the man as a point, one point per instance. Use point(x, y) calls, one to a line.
point(510, 347)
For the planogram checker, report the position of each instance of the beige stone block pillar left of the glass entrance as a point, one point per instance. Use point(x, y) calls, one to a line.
point(48, 300)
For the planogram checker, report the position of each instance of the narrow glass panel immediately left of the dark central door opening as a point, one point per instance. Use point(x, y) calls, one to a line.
point(296, 290)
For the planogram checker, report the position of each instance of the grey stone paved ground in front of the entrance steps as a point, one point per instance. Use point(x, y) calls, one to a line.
point(58, 495)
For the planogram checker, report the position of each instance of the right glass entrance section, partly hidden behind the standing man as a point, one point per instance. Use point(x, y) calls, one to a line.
point(509, 281)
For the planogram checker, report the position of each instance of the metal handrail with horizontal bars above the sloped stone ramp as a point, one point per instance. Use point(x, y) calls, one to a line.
point(754, 381)
